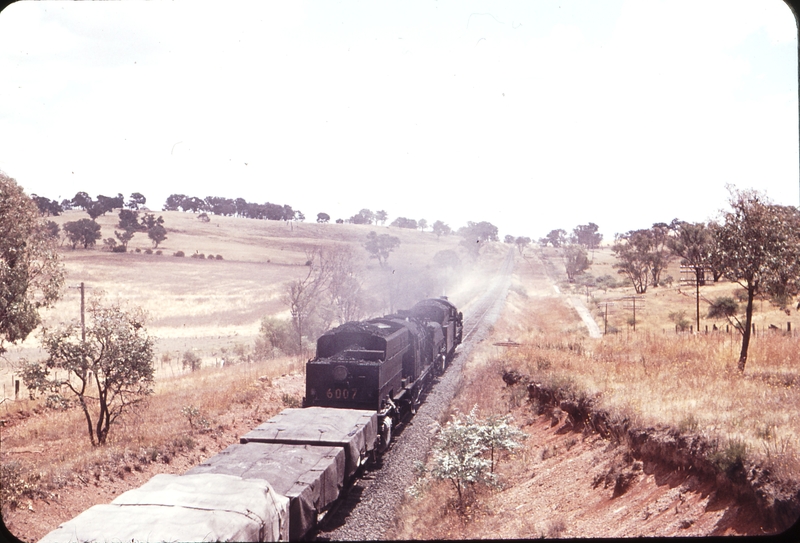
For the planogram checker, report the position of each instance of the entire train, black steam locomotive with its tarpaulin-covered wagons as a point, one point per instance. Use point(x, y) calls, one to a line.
point(277, 481)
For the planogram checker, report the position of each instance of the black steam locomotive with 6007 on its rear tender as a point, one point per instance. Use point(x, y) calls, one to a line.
point(384, 364)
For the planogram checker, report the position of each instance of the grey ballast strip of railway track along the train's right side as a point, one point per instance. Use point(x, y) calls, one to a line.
point(367, 511)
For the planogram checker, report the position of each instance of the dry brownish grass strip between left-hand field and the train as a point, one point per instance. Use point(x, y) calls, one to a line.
point(51, 448)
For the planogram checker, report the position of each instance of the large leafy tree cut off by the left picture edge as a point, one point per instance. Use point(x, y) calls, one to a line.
point(31, 274)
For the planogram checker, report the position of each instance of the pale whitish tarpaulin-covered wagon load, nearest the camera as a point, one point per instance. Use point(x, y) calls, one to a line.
point(203, 507)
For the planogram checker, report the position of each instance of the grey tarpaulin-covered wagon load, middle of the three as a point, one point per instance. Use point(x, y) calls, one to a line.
point(310, 476)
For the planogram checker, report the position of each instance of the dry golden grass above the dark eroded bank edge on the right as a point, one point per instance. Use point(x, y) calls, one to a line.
point(688, 381)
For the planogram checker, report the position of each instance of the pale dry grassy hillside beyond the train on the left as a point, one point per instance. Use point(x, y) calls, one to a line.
point(214, 306)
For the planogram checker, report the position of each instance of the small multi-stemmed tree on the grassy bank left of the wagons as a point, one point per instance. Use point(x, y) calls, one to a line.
point(109, 370)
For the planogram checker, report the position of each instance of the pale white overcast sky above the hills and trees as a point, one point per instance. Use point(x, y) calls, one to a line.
point(532, 115)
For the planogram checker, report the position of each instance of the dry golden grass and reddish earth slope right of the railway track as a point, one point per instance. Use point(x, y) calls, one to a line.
point(653, 377)
